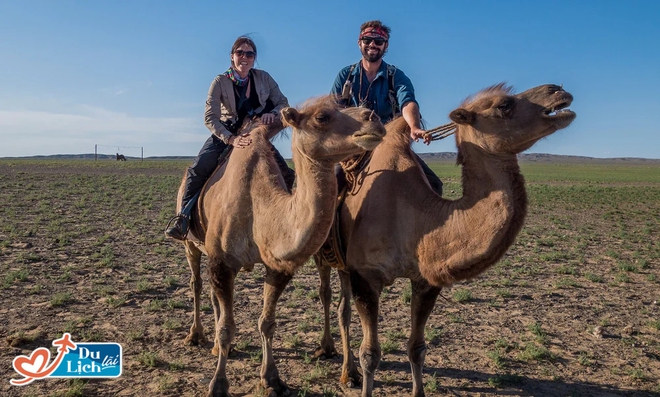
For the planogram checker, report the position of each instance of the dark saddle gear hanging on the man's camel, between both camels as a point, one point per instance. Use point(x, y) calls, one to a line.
point(333, 250)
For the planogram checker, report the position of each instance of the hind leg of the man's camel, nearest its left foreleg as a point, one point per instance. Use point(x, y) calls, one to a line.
point(350, 376)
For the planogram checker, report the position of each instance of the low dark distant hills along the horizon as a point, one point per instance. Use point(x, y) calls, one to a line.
point(441, 156)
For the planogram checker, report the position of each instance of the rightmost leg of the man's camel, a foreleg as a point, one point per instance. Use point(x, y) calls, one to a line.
point(423, 301)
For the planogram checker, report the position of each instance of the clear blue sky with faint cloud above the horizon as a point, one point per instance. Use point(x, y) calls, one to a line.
point(128, 74)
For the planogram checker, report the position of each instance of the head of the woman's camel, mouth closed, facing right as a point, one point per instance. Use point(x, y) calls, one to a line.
point(325, 132)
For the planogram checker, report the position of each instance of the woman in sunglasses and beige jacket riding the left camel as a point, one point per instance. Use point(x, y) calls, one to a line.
point(239, 93)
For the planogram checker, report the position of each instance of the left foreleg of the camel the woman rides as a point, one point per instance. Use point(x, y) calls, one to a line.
point(222, 280)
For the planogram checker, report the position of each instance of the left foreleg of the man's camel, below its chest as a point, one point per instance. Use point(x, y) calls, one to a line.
point(367, 295)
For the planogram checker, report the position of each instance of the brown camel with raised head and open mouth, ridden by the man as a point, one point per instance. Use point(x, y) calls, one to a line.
point(394, 226)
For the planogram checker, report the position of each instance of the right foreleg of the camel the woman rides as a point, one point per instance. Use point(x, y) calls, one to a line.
point(274, 286)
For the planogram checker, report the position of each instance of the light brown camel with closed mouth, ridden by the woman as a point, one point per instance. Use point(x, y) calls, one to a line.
point(250, 217)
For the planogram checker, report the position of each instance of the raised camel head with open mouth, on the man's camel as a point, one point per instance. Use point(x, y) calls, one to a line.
point(503, 123)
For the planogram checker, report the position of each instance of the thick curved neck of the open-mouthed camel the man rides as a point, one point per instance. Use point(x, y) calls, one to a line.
point(473, 232)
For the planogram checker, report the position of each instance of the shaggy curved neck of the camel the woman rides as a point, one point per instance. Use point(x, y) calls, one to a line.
point(304, 217)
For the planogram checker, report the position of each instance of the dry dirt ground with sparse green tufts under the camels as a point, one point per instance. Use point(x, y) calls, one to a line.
point(572, 310)
